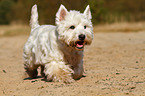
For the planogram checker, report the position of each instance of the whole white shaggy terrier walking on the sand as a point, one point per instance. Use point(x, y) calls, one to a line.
point(58, 49)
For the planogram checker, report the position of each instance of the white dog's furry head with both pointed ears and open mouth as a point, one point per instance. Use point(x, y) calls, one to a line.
point(74, 28)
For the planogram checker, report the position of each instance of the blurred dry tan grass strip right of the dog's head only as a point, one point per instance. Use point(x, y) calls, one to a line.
point(121, 27)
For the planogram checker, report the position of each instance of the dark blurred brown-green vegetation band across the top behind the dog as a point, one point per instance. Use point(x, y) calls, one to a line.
point(103, 11)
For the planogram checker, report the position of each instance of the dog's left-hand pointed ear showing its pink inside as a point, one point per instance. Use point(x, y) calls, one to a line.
point(62, 12)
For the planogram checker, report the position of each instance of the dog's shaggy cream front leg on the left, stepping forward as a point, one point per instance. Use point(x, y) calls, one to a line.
point(58, 72)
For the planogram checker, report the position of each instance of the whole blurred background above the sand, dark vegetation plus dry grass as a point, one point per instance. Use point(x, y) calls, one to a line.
point(108, 15)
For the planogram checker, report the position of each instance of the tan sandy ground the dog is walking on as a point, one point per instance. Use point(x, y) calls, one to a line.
point(114, 66)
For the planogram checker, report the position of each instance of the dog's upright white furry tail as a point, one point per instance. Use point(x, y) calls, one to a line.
point(34, 17)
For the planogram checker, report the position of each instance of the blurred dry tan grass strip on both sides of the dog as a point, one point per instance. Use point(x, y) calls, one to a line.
point(13, 30)
